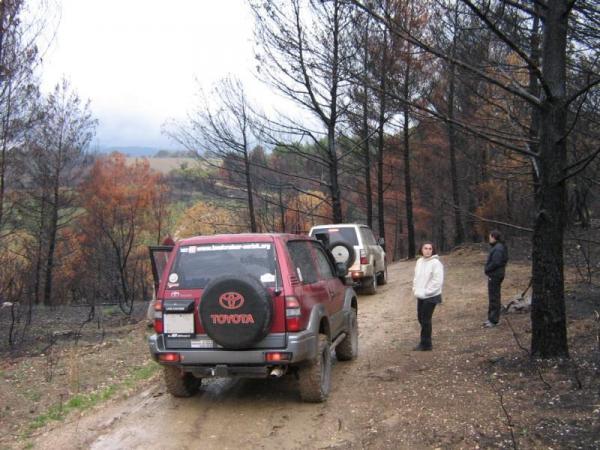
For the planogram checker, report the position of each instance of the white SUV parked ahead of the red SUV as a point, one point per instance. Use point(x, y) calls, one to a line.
point(355, 245)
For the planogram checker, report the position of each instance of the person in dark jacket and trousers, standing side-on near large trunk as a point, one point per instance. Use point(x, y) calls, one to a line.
point(494, 269)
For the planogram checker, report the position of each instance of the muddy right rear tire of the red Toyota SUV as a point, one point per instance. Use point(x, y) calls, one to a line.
point(315, 377)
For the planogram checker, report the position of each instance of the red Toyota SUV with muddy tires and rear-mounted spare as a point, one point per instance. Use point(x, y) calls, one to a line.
point(251, 305)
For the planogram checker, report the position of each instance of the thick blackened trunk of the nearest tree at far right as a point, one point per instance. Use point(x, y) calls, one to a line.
point(548, 316)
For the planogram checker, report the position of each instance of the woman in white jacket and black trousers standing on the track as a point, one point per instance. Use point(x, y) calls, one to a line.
point(427, 288)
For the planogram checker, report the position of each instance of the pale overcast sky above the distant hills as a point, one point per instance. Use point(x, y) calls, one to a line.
point(138, 60)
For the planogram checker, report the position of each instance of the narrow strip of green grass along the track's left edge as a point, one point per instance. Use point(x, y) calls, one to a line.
point(81, 402)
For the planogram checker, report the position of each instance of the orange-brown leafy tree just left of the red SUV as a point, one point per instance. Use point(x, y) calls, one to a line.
point(120, 200)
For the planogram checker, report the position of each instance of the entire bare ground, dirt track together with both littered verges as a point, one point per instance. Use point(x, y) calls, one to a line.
point(478, 387)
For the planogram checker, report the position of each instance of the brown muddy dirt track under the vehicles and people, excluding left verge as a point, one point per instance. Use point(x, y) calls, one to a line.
point(390, 397)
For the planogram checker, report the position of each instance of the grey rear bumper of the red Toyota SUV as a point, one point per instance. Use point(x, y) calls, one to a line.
point(250, 362)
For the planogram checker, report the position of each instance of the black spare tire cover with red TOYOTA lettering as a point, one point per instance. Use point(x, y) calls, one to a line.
point(236, 312)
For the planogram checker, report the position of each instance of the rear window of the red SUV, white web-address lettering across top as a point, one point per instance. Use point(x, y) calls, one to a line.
point(196, 265)
